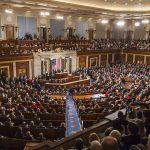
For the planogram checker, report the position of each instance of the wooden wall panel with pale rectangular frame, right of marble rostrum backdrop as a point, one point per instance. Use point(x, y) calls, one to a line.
point(93, 60)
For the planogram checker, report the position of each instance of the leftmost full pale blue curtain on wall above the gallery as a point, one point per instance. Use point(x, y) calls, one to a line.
point(26, 25)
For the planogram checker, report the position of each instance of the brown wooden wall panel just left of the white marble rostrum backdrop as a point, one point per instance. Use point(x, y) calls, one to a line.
point(22, 68)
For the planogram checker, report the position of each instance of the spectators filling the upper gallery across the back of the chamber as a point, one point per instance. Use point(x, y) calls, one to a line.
point(35, 45)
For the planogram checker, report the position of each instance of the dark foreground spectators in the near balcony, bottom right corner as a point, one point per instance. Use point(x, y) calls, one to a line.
point(126, 133)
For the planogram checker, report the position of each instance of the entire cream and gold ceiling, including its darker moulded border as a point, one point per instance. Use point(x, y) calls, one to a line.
point(128, 9)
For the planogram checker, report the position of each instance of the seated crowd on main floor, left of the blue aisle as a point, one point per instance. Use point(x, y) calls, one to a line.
point(26, 108)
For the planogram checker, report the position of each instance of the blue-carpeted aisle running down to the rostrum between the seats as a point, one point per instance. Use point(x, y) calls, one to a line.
point(72, 120)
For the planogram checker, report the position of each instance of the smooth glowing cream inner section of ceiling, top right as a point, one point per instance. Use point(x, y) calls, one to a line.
point(114, 5)
